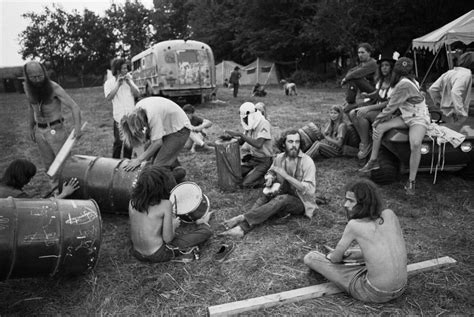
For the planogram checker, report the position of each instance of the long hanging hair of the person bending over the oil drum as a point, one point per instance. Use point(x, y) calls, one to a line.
point(134, 127)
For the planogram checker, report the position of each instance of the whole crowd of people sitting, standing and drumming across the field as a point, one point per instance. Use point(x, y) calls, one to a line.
point(157, 129)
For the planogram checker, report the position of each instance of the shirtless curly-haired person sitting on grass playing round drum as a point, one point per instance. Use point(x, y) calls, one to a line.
point(153, 224)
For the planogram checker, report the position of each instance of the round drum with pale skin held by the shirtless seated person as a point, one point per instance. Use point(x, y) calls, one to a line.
point(188, 201)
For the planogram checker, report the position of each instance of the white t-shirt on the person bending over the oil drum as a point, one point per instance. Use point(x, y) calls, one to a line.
point(164, 116)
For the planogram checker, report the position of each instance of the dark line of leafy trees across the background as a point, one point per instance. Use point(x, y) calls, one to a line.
point(306, 32)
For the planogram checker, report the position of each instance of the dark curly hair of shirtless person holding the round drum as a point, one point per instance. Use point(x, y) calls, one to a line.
point(154, 184)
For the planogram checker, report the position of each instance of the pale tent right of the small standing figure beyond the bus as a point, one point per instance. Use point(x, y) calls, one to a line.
point(259, 71)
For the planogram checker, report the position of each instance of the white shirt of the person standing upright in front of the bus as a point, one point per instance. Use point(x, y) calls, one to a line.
point(123, 101)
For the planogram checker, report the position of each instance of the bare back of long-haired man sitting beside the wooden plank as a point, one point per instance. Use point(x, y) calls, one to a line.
point(384, 251)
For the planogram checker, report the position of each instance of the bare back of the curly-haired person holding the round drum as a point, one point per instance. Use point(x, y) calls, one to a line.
point(147, 229)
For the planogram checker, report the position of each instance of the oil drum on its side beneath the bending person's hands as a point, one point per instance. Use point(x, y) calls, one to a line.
point(102, 179)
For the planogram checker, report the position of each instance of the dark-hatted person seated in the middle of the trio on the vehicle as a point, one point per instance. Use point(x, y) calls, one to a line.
point(362, 117)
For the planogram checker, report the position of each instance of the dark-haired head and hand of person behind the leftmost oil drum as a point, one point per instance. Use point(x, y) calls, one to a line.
point(19, 173)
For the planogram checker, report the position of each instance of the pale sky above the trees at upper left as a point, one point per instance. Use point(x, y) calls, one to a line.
point(12, 23)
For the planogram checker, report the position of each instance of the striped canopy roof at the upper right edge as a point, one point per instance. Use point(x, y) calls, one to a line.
point(461, 29)
